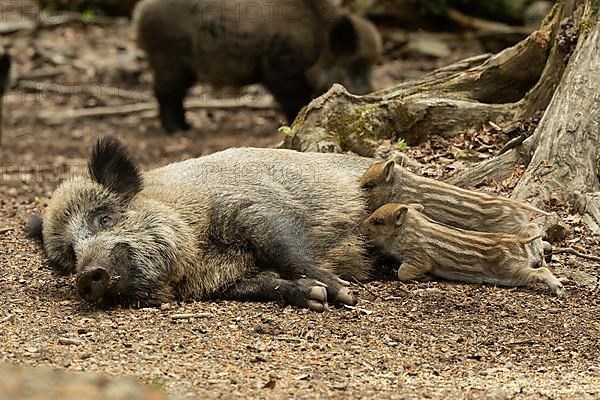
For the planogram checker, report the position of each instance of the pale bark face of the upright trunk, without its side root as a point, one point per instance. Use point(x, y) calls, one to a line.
point(565, 162)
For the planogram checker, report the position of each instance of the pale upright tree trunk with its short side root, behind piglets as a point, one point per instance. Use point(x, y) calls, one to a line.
point(563, 155)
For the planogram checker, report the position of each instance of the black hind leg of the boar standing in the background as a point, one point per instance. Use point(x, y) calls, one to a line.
point(170, 89)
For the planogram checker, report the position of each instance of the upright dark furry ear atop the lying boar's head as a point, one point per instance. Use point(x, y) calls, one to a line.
point(111, 166)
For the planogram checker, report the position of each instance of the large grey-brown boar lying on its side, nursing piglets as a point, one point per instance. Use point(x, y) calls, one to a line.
point(247, 224)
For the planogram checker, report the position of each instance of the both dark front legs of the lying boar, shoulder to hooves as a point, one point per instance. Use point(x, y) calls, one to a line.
point(283, 264)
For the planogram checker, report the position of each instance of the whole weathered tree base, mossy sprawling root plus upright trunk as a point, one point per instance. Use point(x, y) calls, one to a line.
point(556, 69)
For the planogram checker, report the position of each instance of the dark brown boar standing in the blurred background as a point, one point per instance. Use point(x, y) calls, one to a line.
point(296, 48)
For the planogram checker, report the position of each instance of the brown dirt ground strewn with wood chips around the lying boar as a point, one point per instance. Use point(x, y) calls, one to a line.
point(415, 340)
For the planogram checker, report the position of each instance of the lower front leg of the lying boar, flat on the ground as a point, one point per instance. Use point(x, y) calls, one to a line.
point(268, 286)
